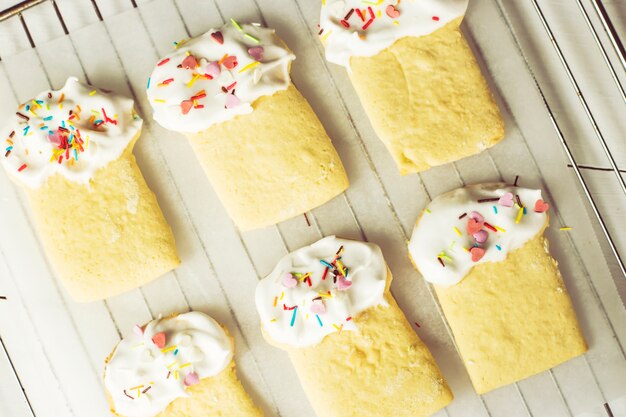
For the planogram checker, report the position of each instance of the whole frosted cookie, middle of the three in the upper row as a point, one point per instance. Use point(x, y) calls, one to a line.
point(261, 145)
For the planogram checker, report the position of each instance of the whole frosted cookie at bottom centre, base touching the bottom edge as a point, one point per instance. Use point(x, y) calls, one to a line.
point(329, 306)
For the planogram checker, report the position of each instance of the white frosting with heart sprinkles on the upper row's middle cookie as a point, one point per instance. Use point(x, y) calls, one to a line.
point(216, 76)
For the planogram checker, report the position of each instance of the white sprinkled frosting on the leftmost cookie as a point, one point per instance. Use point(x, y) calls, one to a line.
point(73, 132)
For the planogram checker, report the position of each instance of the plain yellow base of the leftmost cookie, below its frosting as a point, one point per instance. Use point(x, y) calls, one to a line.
point(107, 237)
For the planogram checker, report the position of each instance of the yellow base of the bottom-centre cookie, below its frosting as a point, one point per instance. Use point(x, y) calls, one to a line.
point(383, 369)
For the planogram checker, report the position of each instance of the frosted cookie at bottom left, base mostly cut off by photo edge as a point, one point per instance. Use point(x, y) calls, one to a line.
point(174, 367)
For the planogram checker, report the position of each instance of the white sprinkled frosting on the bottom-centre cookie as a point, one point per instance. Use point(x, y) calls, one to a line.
point(300, 311)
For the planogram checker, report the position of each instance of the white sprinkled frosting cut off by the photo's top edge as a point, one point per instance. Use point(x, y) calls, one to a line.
point(359, 28)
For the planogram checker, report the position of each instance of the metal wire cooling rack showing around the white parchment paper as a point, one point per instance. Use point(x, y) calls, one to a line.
point(618, 52)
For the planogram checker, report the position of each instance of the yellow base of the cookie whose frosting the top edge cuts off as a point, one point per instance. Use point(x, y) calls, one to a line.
point(428, 100)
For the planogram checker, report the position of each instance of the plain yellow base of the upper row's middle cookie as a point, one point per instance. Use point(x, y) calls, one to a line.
point(272, 164)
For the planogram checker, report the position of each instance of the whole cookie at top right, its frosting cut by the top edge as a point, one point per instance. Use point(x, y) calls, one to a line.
point(416, 77)
